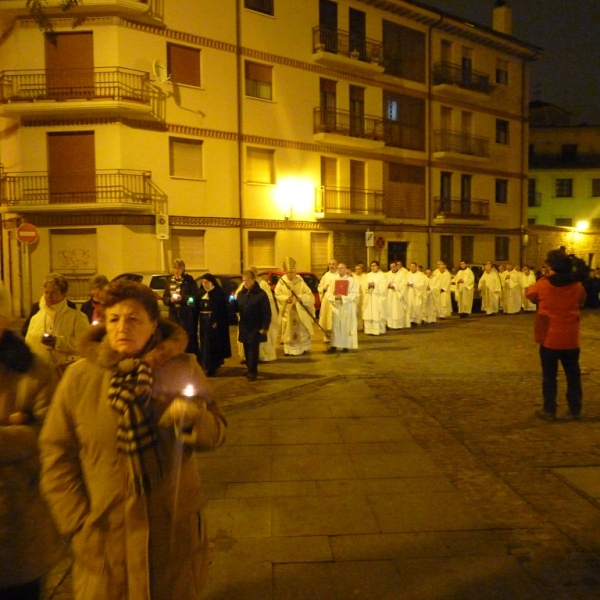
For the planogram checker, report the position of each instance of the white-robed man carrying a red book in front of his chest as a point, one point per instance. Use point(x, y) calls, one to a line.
point(341, 296)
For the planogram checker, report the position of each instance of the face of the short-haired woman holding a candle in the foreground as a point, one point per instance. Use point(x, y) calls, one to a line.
point(128, 327)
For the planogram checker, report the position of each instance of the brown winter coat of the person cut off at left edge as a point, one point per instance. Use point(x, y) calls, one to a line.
point(29, 542)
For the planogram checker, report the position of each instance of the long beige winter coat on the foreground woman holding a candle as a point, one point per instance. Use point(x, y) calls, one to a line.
point(125, 547)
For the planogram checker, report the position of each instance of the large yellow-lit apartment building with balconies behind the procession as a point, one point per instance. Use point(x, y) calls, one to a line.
point(237, 132)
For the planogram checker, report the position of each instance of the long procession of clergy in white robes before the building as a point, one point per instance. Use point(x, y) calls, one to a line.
point(401, 298)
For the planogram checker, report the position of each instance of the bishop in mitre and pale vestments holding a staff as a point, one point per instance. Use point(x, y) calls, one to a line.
point(296, 321)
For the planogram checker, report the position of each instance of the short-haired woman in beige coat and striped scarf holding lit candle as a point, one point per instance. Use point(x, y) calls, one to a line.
point(117, 455)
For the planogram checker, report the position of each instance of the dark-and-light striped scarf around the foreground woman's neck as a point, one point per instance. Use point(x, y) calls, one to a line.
point(129, 393)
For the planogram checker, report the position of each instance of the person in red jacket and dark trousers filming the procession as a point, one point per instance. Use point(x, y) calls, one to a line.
point(558, 296)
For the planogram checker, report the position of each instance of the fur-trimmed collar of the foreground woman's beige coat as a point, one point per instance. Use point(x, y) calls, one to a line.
point(168, 340)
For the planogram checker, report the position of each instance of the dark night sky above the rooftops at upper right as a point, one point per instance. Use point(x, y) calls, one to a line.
point(568, 72)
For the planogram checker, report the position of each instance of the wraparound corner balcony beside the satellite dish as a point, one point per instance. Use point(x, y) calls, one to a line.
point(99, 92)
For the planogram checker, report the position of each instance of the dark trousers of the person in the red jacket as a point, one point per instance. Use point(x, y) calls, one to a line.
point(570, 362)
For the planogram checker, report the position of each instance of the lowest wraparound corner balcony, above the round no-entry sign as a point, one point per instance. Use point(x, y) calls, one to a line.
point(104, 190)
